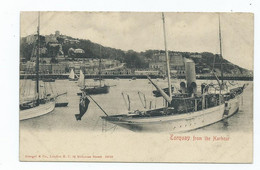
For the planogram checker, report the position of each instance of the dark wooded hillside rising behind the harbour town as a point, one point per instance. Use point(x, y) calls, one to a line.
point(133, 59)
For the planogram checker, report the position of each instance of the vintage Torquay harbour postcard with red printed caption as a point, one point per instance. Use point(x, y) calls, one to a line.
point(136, 87)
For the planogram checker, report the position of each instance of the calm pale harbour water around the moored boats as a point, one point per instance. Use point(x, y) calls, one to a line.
point(62, 118)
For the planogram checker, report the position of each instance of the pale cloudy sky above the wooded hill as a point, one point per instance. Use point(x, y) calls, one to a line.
point(187, 32)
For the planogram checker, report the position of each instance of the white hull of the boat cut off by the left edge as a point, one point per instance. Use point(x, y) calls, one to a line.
point(40, 110)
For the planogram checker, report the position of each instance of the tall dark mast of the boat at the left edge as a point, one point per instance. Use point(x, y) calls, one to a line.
point(37, 61)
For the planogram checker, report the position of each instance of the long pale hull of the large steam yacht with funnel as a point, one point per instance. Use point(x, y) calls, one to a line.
point(180, 122)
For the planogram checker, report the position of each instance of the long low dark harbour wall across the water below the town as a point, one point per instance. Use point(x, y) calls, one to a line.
point(66, 76)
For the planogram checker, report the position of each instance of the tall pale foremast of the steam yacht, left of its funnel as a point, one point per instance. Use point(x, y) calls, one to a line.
point(167, 59)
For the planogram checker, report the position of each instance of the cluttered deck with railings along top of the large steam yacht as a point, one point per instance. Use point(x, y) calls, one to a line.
point(181, 104)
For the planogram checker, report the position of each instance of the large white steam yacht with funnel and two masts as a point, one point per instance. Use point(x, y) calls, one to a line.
point(186, 110)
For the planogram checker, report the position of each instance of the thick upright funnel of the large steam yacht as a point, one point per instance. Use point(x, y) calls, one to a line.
point(190, 76)
